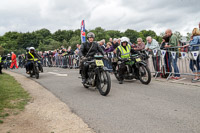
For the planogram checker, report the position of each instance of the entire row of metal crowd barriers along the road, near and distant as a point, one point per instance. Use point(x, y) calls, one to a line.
point(172, 61)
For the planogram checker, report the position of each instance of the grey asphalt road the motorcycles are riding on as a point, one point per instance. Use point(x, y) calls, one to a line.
point(160, 107)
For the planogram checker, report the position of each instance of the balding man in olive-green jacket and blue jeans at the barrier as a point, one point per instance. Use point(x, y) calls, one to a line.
point(173, 43)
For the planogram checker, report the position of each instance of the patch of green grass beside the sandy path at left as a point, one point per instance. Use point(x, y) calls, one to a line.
point(13, 97)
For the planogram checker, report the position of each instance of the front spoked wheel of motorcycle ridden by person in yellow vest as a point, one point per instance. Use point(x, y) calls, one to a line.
point(144, 74)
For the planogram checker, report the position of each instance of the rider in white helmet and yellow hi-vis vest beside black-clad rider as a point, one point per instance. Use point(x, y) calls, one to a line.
point(123, 53)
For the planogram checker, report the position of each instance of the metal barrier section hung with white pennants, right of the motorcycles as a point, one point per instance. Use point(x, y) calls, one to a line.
point(182, 60)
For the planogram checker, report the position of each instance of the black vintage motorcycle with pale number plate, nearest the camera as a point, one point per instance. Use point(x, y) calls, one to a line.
point(98, 75)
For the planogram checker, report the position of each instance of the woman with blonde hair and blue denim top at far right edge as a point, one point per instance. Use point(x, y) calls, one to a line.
point(194, 46)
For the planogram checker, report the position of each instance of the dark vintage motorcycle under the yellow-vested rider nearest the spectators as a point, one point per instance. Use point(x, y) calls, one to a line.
point(136, 69)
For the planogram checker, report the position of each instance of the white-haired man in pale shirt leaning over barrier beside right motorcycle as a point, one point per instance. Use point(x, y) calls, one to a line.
point(152, 45)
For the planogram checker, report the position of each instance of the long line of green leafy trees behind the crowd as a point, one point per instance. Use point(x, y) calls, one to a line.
point(44, 40)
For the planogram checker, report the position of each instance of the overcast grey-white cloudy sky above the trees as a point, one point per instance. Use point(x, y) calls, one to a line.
point(157, 15)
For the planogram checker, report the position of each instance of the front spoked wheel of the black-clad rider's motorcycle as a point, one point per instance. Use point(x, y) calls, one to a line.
point(103, 83)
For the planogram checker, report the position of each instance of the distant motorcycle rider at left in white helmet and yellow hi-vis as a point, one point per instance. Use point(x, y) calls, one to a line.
point(31, 55)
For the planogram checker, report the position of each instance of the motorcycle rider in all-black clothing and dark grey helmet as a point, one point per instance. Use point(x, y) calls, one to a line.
point(88, 49)
